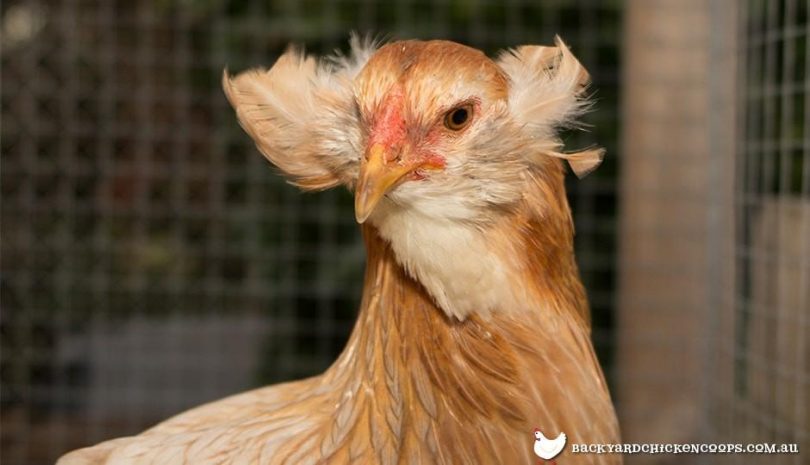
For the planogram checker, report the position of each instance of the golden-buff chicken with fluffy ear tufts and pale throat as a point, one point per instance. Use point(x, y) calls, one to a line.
point(473, 326)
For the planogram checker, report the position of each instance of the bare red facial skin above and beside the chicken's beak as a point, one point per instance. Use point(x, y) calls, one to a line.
point(390, 130)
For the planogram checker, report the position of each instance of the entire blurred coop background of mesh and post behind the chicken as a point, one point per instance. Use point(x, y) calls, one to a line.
point(152, 260)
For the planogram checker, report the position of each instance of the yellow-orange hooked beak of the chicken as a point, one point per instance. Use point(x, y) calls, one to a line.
point(377, 177)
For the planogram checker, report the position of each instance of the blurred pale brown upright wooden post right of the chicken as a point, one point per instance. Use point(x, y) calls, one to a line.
point(676, 211)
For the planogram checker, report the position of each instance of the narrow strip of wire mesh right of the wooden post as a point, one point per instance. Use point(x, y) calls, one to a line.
point(765, 394)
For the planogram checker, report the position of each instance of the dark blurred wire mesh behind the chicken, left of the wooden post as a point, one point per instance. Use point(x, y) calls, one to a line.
point(151, 259)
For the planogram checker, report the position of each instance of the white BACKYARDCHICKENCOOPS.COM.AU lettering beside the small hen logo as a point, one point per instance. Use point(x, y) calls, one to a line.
point(758, 448)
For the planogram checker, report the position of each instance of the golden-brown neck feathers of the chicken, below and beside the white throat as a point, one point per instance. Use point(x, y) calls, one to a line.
point(415, 384)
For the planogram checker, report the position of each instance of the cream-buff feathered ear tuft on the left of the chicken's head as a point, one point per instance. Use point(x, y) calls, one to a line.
point(301, 115)
